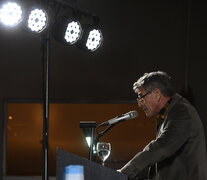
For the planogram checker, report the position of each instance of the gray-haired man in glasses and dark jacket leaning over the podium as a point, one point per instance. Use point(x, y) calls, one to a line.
point(179, 150)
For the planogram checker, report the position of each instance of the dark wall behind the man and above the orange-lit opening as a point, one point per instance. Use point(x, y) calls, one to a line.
point(139, 36)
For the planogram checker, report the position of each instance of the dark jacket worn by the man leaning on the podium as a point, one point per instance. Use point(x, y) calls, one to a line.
point(179, 150)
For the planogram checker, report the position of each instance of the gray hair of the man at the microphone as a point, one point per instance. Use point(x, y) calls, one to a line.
point(152, 80)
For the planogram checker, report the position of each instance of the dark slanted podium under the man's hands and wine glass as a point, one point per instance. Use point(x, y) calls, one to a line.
point(92, 170)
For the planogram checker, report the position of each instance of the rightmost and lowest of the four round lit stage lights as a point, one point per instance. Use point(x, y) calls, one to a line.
point(95, 39)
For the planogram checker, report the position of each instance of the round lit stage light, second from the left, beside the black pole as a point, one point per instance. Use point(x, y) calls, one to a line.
point(37, 21)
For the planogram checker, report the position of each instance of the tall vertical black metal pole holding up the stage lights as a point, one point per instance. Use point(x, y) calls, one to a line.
point(46, 59)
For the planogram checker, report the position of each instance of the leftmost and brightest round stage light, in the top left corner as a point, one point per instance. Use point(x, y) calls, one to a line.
point(10, 14)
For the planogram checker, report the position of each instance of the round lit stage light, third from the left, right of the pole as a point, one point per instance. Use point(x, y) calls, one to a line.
point(73, 32)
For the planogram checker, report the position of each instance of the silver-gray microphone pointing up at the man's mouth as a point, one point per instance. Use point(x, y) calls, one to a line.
point(123, 117)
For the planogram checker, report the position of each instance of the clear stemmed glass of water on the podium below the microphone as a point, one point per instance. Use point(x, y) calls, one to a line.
point(103, 150)
